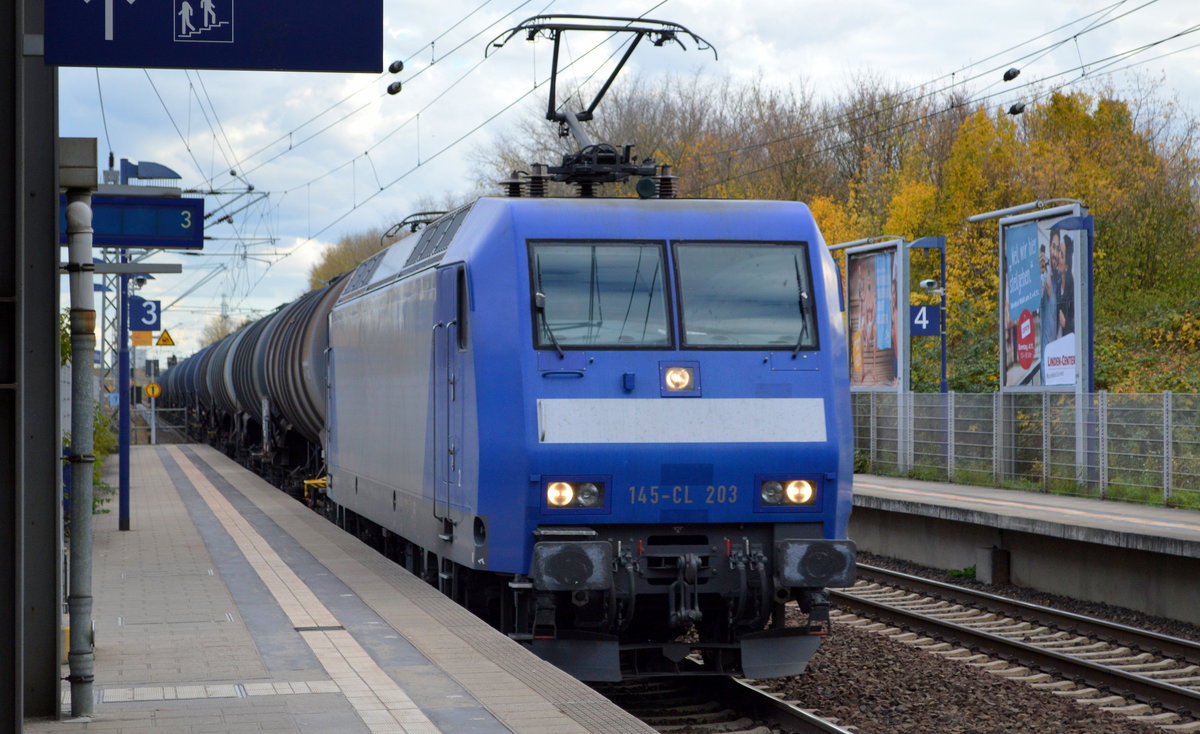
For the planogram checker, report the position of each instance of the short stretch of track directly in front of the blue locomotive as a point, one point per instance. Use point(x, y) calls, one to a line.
point(713, 705)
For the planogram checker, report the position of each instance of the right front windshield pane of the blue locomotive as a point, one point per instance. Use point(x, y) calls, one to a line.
point(746, 296)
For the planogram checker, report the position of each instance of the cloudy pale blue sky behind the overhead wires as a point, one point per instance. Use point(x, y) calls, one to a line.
point(334, 154)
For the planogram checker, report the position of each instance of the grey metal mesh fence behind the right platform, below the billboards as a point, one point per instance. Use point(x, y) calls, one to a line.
point(1141, 448)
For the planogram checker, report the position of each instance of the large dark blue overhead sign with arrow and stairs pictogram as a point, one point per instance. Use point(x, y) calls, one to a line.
point(298, 35)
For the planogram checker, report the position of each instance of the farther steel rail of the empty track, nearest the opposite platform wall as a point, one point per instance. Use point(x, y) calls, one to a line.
point(1089, 627)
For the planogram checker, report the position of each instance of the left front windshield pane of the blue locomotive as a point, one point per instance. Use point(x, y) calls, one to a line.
point(599, 296)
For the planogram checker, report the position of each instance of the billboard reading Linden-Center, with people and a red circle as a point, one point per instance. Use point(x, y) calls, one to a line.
point(1046, 294)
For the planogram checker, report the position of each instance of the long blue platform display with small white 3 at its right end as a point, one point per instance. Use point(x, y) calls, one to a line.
point(171, 224)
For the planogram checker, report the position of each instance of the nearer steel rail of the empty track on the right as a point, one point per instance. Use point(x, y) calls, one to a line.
point(1147, 690)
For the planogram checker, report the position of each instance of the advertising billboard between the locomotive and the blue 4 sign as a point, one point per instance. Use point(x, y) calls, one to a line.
point(878, 288)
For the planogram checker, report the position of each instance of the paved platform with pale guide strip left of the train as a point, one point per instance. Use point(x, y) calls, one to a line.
point(231, 607)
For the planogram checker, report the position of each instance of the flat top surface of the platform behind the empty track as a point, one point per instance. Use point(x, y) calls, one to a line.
point(1166, 531)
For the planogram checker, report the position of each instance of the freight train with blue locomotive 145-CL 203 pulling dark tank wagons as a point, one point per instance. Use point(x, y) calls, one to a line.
point(617, 429)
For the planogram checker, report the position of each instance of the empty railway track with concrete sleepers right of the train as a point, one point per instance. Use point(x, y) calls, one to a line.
point(1108, 663)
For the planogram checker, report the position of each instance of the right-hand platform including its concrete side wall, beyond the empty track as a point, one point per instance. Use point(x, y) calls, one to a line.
point(1141, 557)
